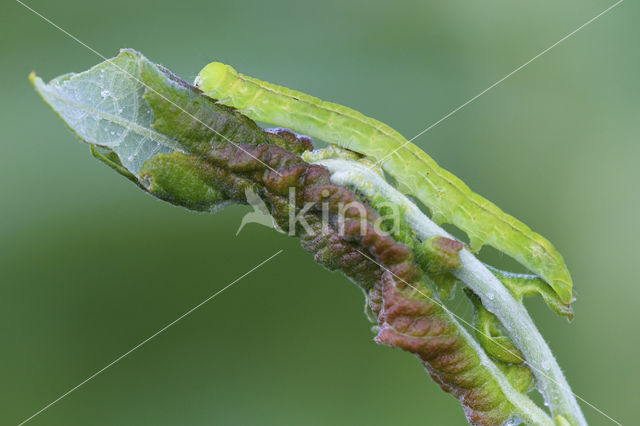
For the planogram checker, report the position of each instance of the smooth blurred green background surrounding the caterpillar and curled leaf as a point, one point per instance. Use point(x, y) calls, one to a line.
point(90, 266)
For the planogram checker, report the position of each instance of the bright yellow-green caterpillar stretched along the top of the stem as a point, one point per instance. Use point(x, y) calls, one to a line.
point(417, 174)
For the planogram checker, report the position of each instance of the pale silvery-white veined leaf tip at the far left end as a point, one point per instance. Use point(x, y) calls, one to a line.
point(104, 106)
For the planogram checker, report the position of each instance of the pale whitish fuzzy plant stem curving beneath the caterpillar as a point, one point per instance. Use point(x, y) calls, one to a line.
point(495, 296)
